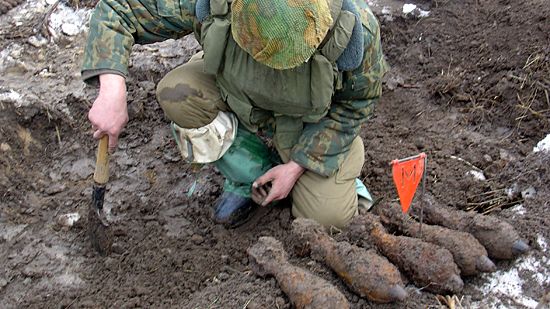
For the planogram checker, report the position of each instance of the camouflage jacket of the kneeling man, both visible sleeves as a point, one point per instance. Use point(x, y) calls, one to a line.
point(117, 24)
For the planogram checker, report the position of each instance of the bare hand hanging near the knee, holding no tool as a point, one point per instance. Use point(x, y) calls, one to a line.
point(276, 183)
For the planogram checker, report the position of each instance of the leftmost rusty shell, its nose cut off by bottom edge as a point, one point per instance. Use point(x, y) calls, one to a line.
point(305, 290)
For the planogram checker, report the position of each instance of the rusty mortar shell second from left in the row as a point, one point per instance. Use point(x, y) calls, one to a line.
point(364, 271)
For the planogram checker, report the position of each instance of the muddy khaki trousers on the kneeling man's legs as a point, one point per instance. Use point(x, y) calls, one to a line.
point(191, 99)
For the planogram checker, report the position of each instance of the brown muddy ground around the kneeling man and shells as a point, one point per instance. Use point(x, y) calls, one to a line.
point(469, 86)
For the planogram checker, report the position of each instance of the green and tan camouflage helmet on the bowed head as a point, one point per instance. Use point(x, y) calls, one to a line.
point(280, 34)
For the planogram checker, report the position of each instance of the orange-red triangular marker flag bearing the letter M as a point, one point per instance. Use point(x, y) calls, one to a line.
point(407, 174)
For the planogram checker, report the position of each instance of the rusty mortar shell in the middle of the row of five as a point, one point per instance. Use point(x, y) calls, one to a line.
point(428, 265)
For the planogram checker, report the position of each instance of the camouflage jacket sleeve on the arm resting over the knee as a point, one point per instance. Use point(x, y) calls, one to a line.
point(323, 145)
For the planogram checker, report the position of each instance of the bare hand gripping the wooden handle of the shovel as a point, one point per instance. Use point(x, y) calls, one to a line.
point(109, 113)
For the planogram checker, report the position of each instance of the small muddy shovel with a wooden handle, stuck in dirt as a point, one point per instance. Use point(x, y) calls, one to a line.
point(98, 226)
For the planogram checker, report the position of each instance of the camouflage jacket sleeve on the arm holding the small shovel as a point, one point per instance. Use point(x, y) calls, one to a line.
point(116, 25)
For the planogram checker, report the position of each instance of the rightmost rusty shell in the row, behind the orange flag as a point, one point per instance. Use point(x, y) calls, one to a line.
point(499, 237)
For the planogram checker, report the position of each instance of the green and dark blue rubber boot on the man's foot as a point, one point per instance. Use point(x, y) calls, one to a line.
point(247, 159)
